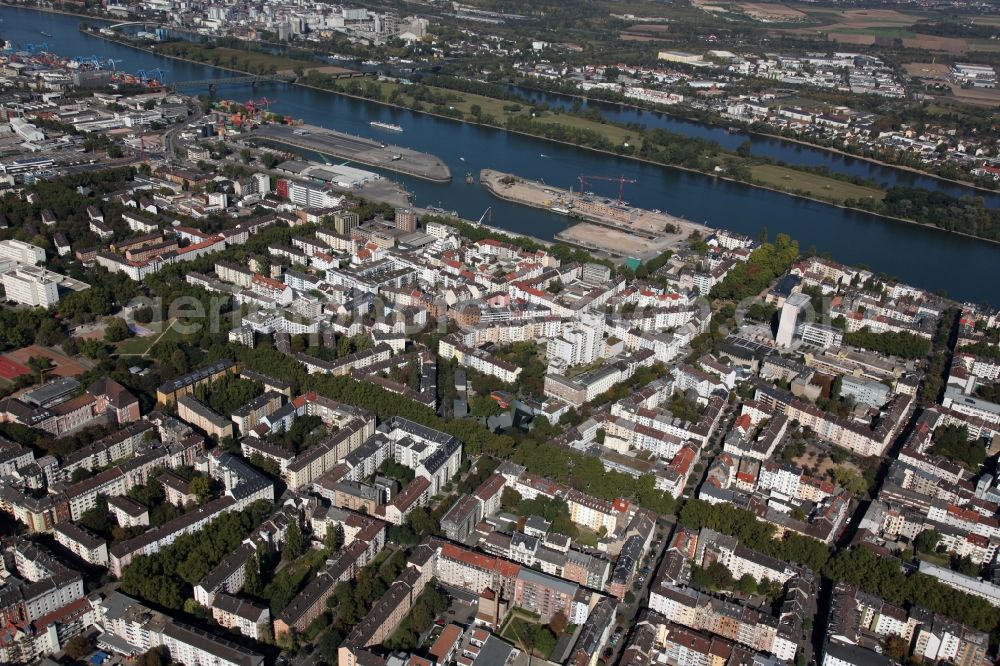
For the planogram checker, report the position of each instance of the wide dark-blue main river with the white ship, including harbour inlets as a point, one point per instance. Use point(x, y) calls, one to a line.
point(923, 256)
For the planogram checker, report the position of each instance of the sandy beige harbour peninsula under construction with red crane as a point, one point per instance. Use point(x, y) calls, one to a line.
point(602, 224)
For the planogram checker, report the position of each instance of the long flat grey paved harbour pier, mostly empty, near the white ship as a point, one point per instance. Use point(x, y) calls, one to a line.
point(356, 149)
